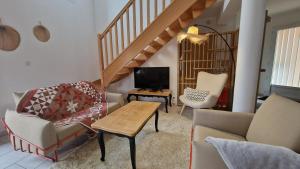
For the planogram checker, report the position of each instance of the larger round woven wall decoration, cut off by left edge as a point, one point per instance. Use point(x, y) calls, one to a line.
point(9, 38)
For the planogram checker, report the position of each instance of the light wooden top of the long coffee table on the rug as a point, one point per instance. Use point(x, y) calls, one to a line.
point(127, 120)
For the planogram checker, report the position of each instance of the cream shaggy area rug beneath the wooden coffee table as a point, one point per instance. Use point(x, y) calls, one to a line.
point(167, 149)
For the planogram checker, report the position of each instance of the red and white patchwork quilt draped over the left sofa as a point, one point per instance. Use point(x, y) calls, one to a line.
point(63, 101)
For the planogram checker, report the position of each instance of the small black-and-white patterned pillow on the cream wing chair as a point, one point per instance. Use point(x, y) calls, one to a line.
point(195, 95)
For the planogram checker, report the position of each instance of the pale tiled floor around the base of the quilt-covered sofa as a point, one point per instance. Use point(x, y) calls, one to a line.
point(10, 159)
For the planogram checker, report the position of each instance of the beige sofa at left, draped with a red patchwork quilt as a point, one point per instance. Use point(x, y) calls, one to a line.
point(35, 135)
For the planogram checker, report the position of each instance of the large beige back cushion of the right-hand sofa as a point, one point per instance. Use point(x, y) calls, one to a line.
point(277, 123)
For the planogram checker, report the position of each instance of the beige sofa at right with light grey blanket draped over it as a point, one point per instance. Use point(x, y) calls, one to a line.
point(276, 122)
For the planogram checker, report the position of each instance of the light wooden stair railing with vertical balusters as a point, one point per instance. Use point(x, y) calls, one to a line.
point(132, 20)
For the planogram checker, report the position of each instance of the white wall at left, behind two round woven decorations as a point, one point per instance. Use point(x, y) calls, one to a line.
point(70, 55)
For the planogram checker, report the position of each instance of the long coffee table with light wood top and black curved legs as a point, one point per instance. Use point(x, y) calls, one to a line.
point(126, 121)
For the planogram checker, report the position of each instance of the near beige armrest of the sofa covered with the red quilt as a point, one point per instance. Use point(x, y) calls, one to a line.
point(32, 129)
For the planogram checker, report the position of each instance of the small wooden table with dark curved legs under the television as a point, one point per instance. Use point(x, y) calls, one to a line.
point(166, 94)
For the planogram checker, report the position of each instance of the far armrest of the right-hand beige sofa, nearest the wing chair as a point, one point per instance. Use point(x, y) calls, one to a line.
point(233, 122)
